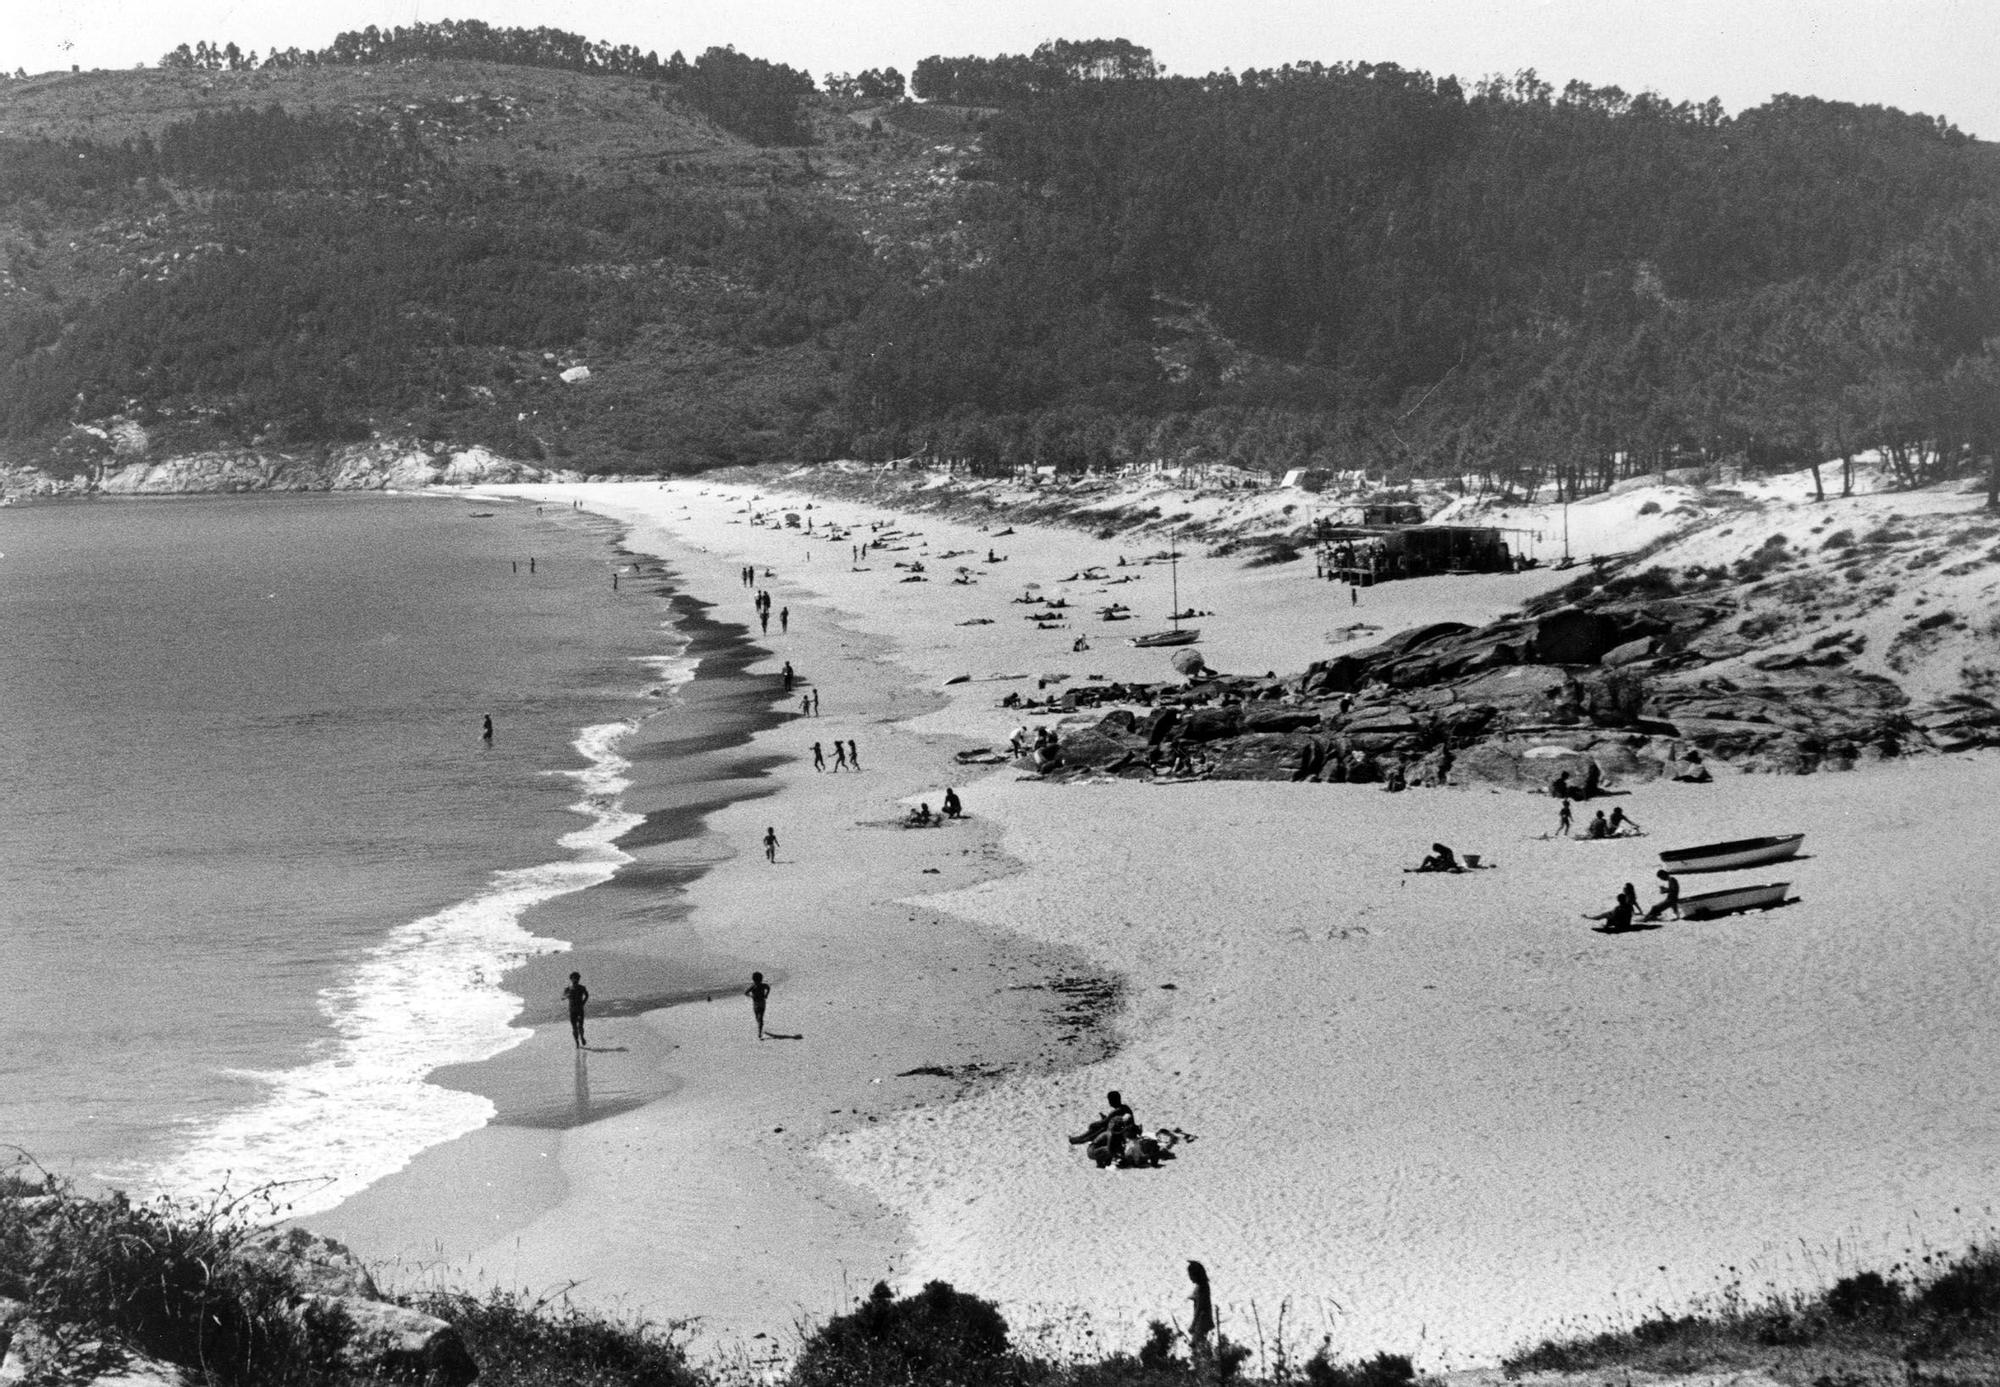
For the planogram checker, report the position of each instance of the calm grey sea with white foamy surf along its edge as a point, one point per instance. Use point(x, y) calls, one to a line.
point(259, 874)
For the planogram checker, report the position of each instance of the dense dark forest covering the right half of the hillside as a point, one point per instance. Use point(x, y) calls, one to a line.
point(1403, 273)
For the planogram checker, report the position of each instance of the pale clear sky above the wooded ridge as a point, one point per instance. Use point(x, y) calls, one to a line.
point(1935, 57)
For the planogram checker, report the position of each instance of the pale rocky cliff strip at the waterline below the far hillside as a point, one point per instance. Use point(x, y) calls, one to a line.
point(373, 467)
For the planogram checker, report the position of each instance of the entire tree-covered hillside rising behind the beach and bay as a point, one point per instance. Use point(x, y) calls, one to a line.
point(1063, 257)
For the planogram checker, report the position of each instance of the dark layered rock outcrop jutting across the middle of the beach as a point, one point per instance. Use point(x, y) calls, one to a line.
point(1627, 685)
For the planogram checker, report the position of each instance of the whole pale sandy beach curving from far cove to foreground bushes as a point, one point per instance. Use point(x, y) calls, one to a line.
point(1431, 1114)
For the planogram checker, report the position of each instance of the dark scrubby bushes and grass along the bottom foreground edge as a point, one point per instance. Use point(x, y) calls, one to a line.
point(195, 1286)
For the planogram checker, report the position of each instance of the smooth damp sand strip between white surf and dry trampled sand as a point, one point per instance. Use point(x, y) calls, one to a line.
point(521, 1200)
